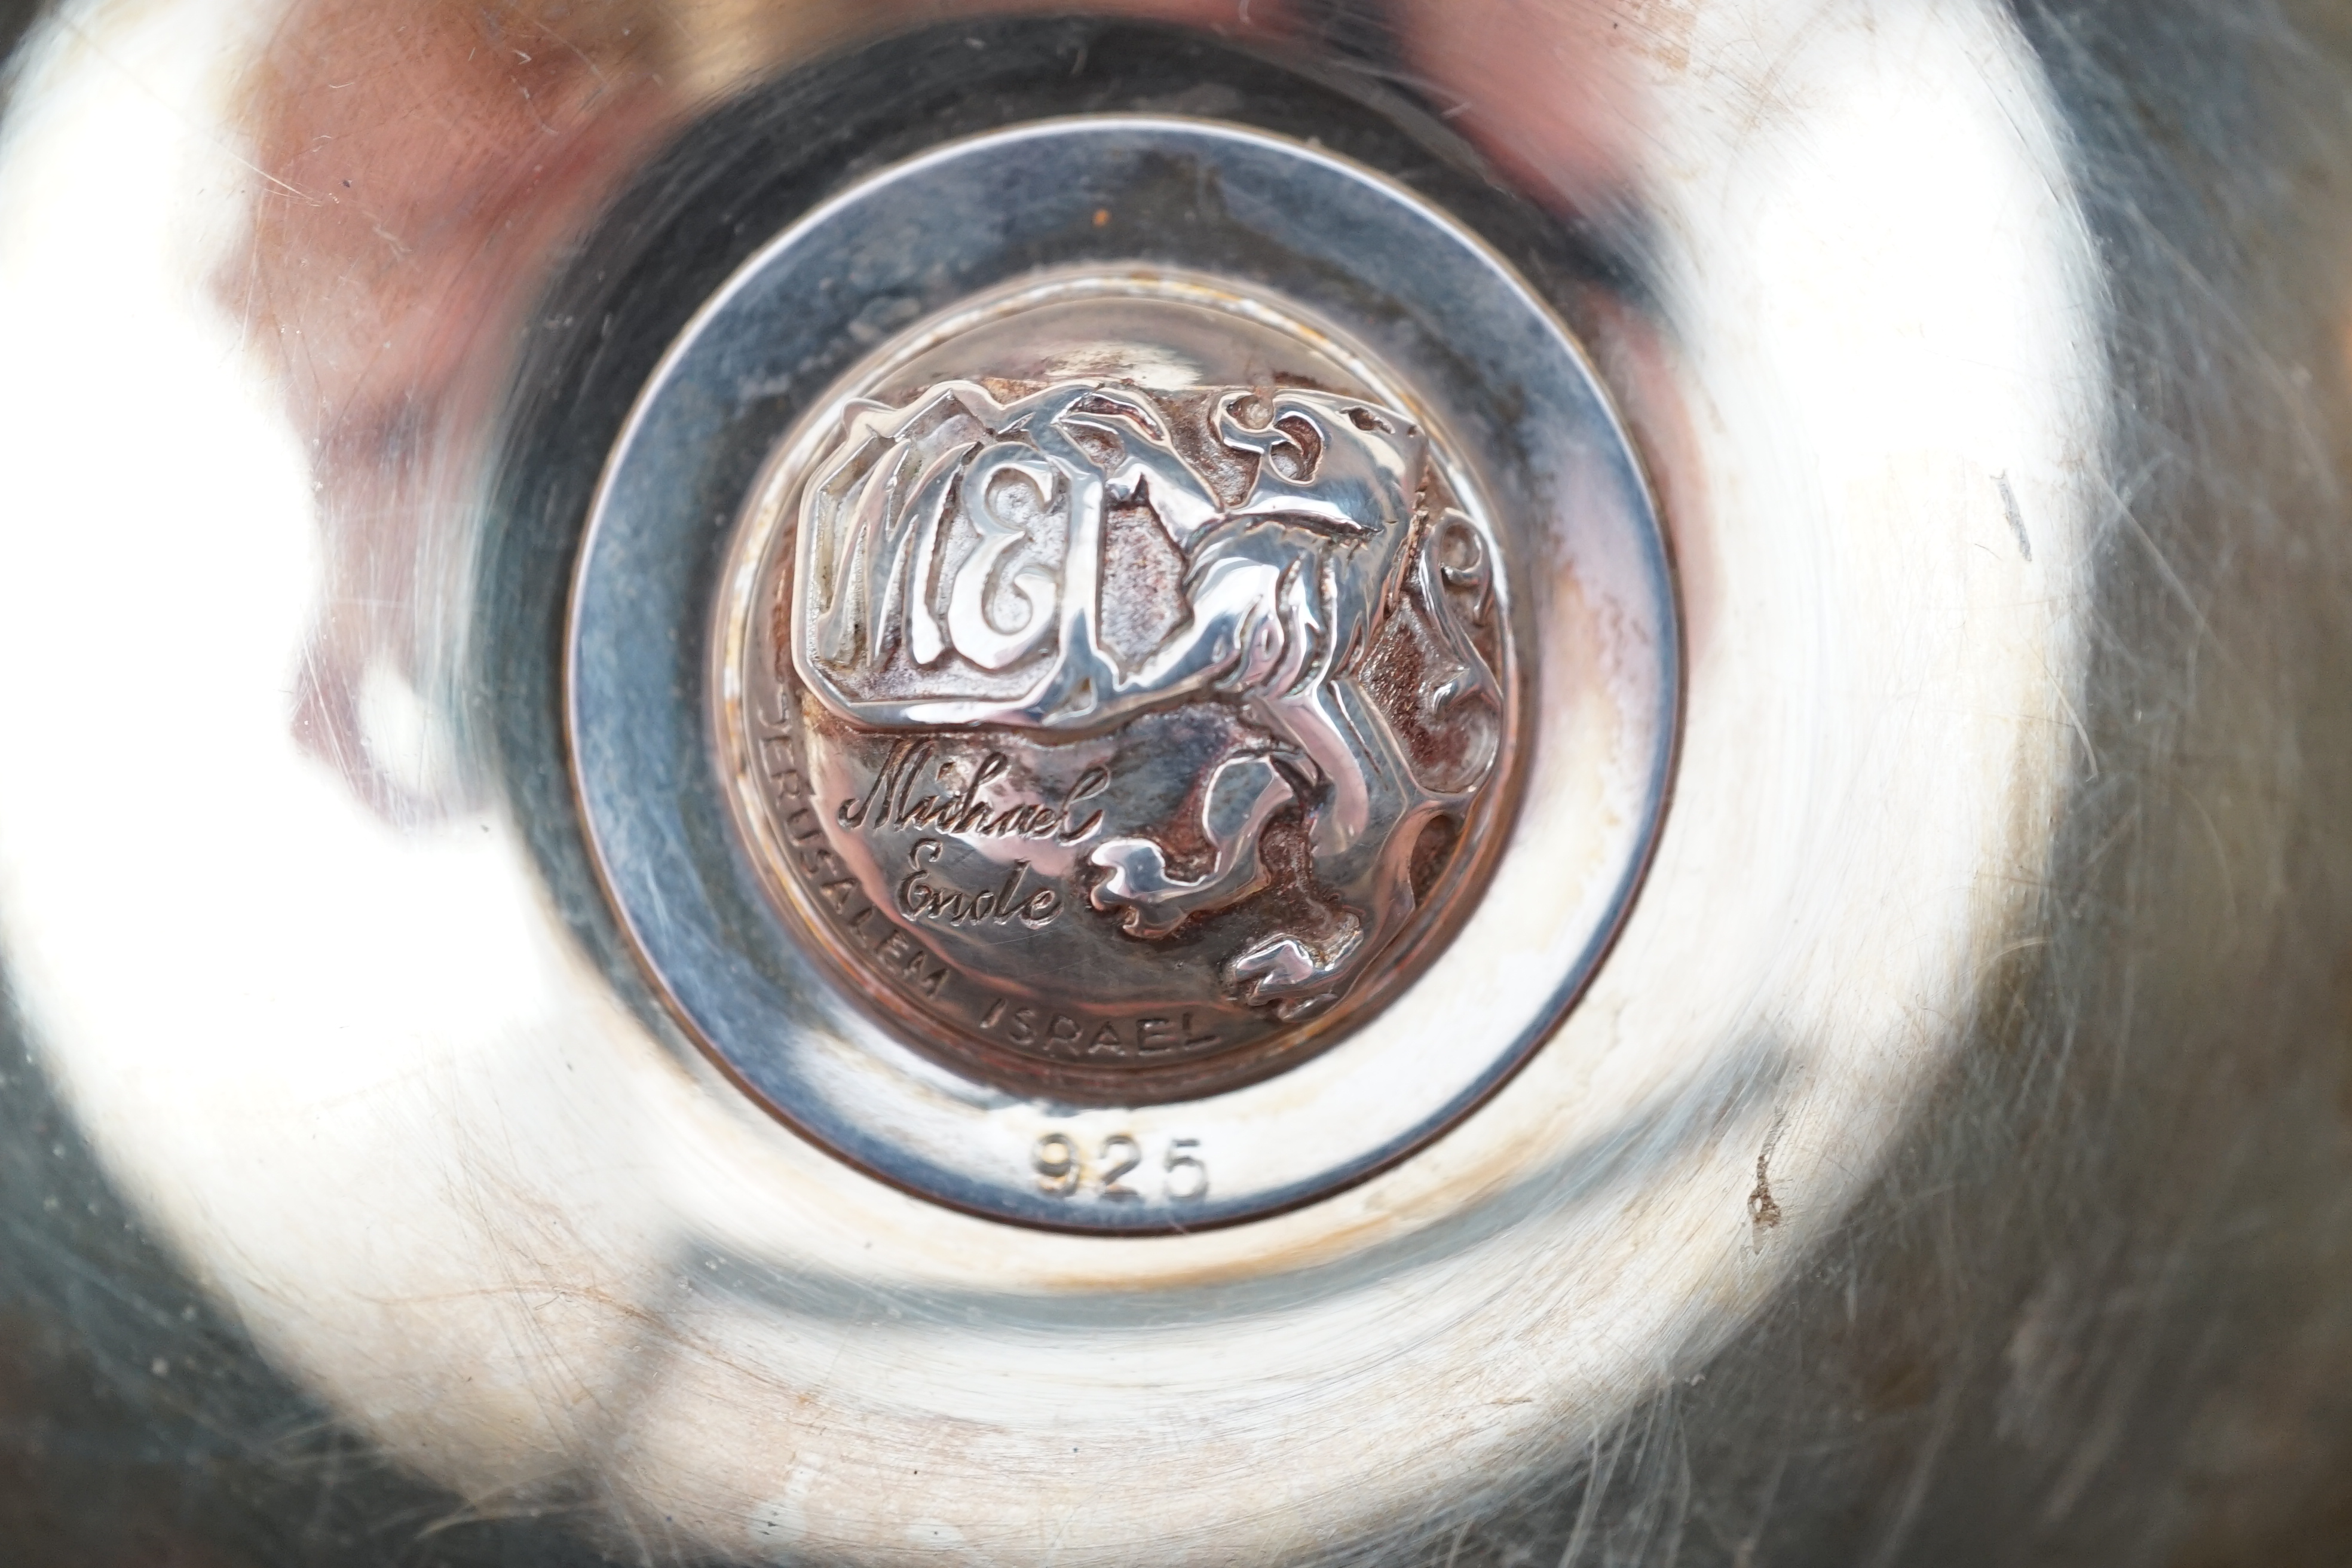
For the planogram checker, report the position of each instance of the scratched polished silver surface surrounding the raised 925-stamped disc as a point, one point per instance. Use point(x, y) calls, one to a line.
point(1951, 1162)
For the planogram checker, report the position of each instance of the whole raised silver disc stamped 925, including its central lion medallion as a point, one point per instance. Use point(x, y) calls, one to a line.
point(1295, 683)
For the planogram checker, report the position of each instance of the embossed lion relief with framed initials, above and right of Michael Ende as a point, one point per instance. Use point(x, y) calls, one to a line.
point(1053, 565)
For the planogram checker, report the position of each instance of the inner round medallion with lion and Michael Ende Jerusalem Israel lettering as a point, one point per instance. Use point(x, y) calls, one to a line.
point(1128, 709)
